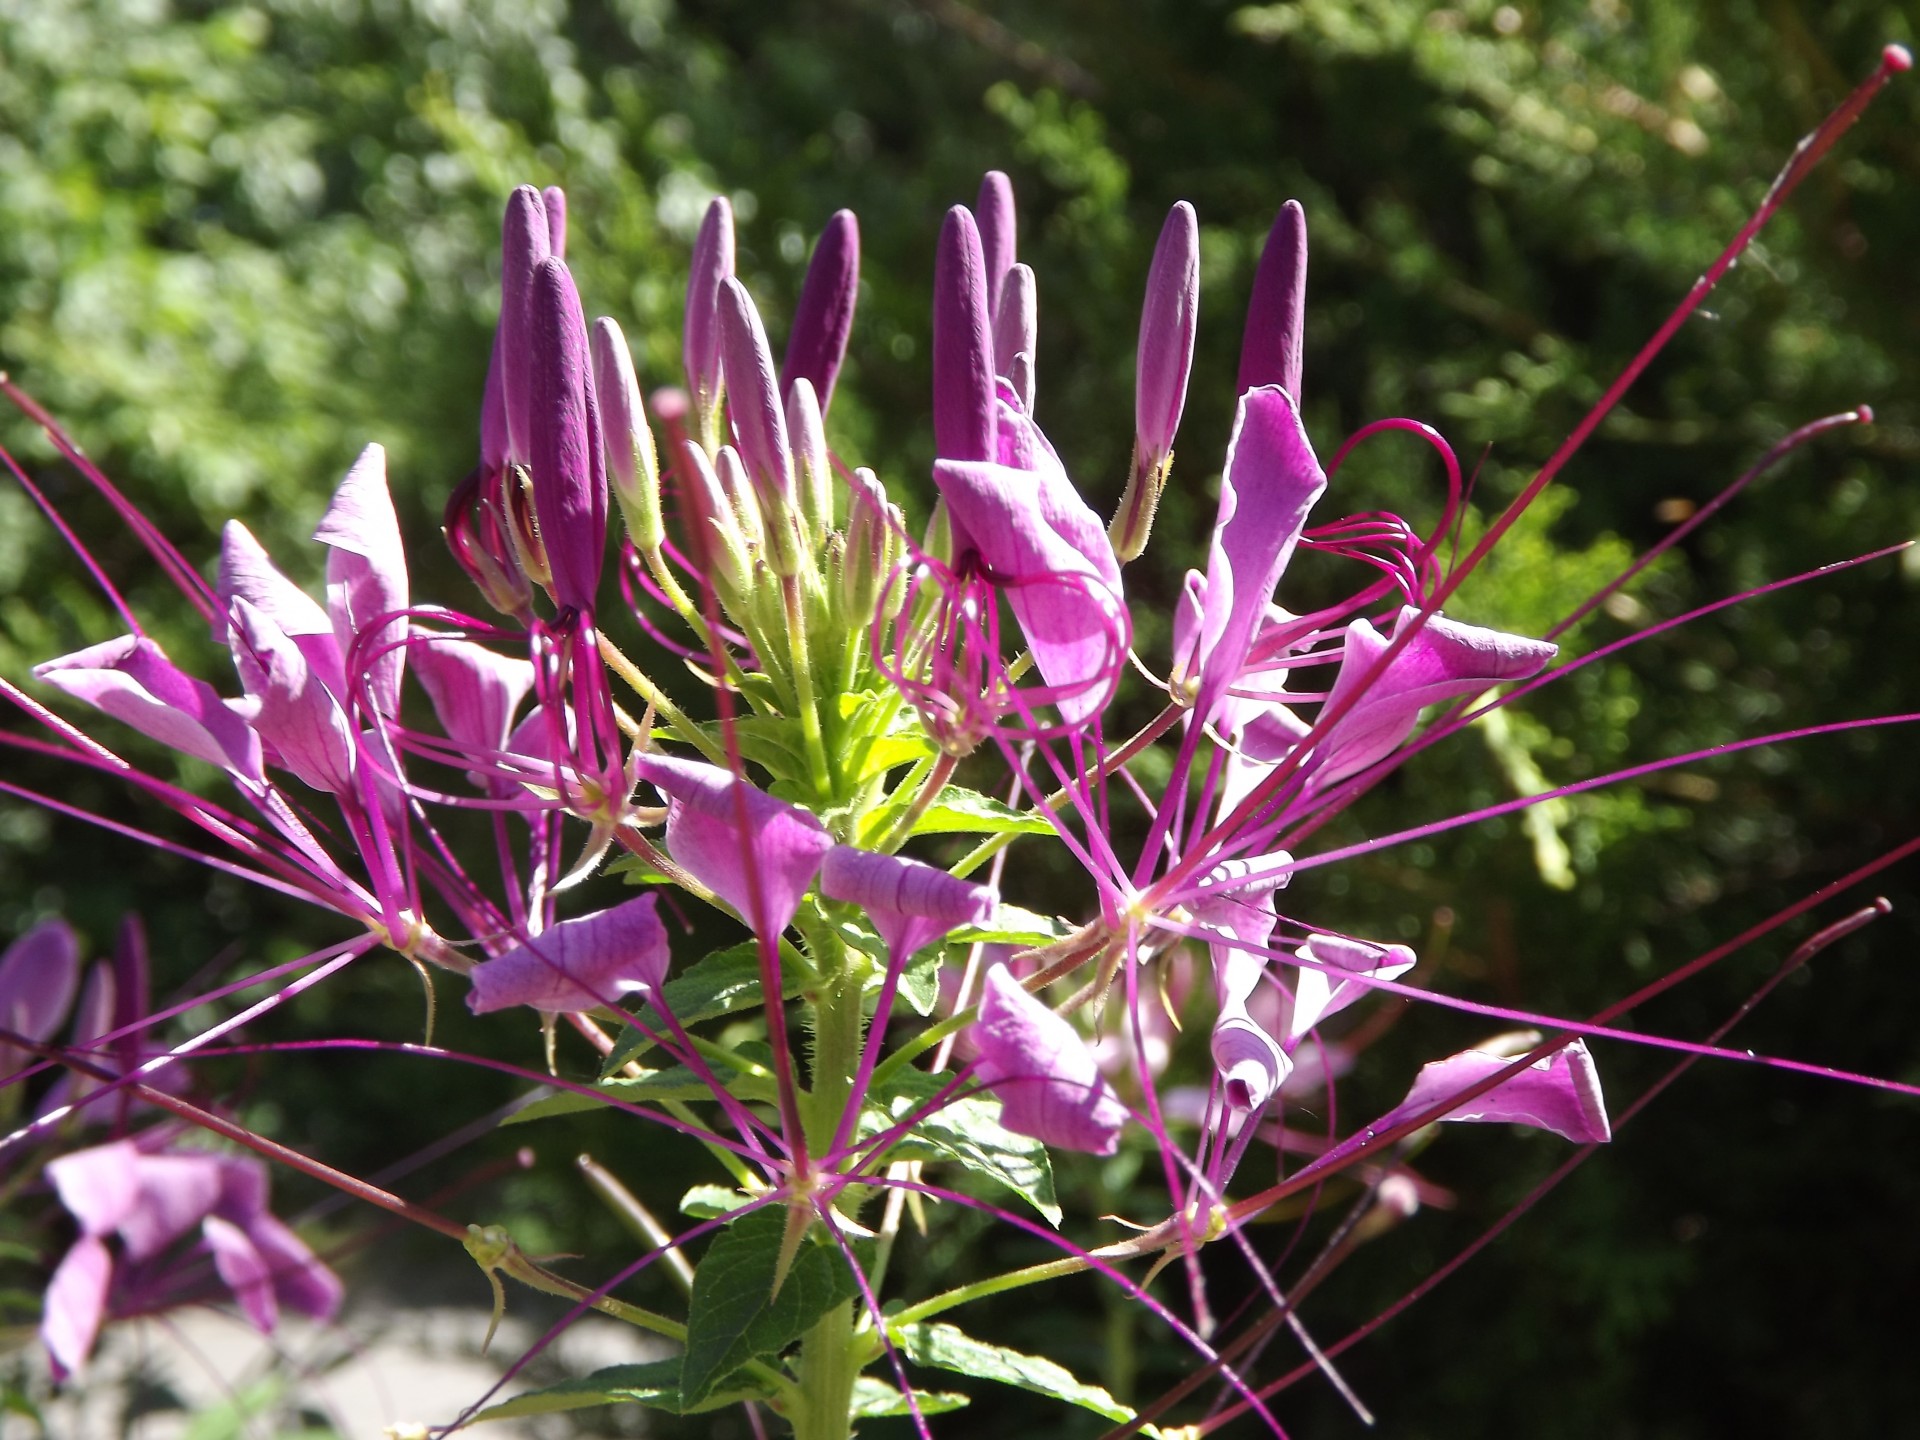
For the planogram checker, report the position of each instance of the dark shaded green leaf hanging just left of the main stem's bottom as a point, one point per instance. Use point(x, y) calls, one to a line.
point(734, 1314)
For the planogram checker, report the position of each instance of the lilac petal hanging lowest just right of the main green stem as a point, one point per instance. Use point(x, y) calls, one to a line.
point(1044, 1072)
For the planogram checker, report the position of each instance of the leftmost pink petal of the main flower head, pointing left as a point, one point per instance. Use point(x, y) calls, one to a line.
point(133, 681)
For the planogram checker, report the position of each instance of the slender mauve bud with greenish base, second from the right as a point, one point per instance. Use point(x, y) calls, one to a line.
point(1164, 362)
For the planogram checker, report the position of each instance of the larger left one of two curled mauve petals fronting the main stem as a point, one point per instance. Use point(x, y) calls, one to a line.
point(715, 821)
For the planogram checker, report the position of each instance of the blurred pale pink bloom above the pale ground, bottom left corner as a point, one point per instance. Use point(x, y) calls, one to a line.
point(151, 1201)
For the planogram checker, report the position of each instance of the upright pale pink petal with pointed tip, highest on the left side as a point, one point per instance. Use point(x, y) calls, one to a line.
point(368, 577)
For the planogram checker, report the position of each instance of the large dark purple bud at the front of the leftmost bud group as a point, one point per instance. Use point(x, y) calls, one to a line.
point(569, 471)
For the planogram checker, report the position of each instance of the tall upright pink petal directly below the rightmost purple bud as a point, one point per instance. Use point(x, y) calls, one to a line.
point(1270, 485)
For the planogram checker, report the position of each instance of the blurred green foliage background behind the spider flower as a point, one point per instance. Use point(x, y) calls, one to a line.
point(243, 241)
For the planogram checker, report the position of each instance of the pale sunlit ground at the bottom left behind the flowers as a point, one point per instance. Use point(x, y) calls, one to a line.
point(379, 1368)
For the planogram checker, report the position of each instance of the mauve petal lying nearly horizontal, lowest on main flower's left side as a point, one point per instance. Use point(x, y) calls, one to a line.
point(579, 965)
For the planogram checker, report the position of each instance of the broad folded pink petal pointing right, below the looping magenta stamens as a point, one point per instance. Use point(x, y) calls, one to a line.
point(1445, 661)
